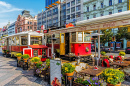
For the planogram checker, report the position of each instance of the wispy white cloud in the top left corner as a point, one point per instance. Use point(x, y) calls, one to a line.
point(5, 7)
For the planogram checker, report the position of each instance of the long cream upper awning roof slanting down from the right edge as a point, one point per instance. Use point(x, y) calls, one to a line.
point(104, 19)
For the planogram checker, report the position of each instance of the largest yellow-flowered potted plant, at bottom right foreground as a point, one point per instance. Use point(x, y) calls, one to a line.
point(113, 77)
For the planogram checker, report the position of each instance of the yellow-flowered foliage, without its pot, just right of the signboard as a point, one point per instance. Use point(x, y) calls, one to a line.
point(67, 68)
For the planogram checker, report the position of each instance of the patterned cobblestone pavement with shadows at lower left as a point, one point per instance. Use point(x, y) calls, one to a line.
point(10, 75)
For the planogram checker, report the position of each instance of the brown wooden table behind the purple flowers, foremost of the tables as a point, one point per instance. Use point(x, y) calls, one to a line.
point(92, 71)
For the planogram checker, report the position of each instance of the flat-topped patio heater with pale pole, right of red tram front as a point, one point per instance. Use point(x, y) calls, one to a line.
point(95, 36)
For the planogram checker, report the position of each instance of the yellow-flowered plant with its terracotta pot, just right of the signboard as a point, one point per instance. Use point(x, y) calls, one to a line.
point(68, 69)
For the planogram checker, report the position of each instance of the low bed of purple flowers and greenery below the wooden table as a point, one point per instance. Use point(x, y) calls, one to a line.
point(92, 81)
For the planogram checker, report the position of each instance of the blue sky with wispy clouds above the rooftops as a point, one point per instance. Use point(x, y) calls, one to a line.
point(10, 9)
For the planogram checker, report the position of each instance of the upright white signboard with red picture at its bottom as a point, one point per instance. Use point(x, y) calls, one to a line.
point(55, 72)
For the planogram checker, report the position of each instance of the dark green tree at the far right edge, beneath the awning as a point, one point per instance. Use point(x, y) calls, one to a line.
point(122, 33)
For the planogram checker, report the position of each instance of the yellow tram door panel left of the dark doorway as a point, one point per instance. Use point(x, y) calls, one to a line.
point(62, 43)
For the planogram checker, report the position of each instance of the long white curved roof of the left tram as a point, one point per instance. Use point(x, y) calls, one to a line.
point(26, 33)
